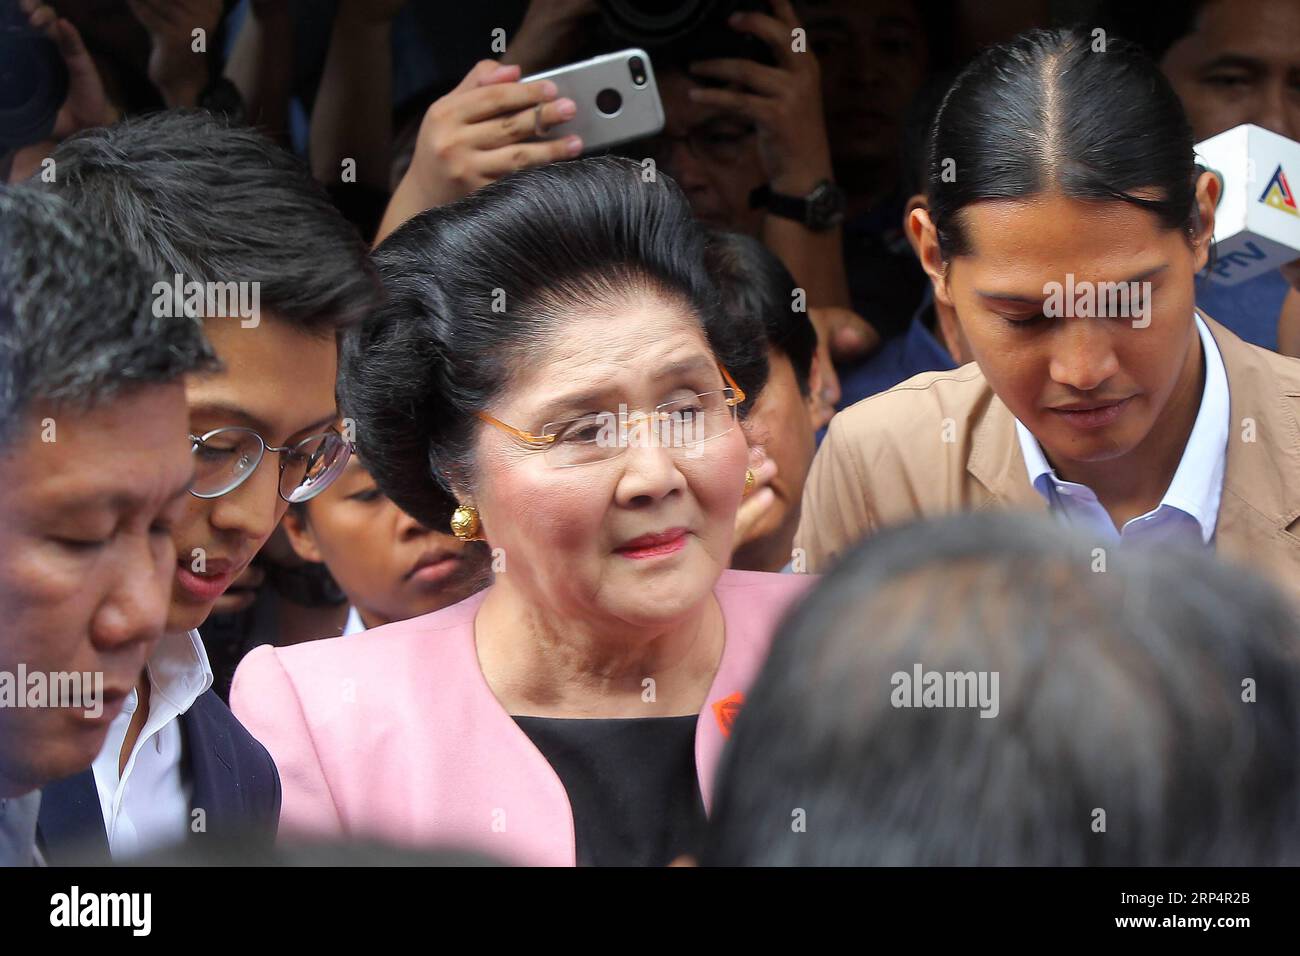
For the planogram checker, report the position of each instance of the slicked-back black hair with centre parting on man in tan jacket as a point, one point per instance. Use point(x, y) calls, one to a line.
point(1045, 111)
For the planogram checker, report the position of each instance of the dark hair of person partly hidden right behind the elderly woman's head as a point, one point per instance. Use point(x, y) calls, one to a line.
point(753, 282)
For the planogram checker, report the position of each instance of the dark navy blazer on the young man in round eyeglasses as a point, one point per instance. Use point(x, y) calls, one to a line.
point(232, 776)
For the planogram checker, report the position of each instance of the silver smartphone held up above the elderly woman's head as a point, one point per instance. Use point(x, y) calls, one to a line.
point(617, 98)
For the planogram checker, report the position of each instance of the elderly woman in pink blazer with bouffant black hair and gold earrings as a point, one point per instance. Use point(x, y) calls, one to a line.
point(549, 374)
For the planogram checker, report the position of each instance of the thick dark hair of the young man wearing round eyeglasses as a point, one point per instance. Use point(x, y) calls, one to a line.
point(192, 194)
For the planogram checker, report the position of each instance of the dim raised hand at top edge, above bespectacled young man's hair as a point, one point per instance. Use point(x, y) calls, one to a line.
point(180, 73)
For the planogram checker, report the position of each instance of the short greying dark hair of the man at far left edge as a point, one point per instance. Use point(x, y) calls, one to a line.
point(77, 326)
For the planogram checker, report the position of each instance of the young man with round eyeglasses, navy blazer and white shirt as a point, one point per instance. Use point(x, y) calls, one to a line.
point(215, 205)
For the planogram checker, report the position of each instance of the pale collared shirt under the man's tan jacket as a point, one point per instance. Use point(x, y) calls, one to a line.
point(1190, 509)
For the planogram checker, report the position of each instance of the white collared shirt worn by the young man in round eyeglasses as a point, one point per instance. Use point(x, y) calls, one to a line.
point(149, 806)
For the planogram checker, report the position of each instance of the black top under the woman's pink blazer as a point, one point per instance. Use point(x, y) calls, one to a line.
point(632, 785)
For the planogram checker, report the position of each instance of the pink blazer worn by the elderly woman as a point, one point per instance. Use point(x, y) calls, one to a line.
point(395, 734)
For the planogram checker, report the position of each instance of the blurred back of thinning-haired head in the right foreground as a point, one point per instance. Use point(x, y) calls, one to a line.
point(1146, 711)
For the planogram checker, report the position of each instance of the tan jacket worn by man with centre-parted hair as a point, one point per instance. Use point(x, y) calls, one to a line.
point(943, 442)
